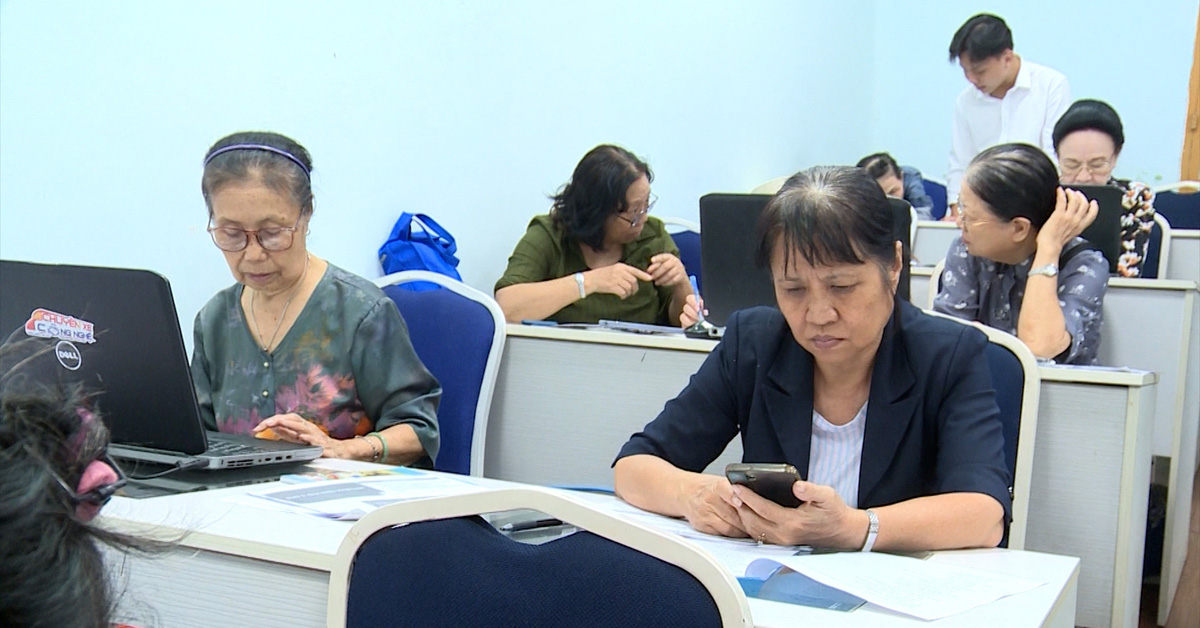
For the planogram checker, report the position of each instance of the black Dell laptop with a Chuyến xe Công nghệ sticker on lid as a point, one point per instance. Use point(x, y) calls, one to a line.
point(116, 332)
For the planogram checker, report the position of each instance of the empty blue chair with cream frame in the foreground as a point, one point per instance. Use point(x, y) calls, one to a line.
point(433, 564)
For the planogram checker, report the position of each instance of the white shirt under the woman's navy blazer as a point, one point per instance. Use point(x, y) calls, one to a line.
point(836, 456)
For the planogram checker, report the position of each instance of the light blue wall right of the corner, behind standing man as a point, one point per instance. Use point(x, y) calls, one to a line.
point(1135, 56)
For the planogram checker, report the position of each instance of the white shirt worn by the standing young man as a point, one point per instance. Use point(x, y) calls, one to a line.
point(1028, 113)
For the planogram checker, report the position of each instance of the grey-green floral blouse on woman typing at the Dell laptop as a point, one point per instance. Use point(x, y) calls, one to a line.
point(347, 366)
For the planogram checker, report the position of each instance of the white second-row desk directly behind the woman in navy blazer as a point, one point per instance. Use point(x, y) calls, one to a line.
point(611, 385)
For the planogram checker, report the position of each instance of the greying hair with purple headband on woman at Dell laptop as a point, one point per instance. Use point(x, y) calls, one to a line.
point(273, 170)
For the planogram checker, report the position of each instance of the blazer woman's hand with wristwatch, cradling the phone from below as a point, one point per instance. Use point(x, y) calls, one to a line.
point(824, 521)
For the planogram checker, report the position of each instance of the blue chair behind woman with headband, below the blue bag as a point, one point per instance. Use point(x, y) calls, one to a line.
point(459, 333)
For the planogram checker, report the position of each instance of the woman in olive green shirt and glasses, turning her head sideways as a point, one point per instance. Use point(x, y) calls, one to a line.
point(598, 254)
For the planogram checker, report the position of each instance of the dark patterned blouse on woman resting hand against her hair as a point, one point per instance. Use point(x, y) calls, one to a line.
point(980, 290)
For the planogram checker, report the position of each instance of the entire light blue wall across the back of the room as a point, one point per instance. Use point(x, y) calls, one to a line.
point(473, 111)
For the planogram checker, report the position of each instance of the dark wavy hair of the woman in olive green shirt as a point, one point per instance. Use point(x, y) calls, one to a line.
point(597, 190)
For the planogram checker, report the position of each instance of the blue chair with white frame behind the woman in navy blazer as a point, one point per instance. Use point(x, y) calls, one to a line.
point(1018, 385)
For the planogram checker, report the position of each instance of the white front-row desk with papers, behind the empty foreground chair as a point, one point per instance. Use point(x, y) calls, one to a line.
point(245, 566)
